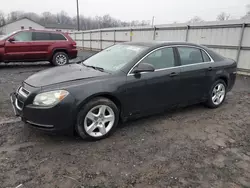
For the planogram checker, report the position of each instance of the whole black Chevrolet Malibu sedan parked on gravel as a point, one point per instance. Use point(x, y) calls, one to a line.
point(122, 82)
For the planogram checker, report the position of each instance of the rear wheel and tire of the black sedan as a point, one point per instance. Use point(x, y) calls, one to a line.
point(217, 94)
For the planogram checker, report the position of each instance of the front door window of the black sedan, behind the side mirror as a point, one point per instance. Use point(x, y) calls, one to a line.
point(160, 59)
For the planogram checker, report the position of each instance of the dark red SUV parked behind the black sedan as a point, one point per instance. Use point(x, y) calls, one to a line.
point(34, 45)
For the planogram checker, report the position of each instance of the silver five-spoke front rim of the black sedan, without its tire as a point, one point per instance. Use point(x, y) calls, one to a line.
point(99, 121)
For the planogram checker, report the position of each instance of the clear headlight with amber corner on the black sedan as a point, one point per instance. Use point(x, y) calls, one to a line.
point(50, 98)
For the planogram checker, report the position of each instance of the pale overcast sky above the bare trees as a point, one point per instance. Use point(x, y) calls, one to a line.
point(165, 11)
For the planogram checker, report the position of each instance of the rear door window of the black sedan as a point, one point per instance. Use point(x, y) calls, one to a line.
point(189, 55)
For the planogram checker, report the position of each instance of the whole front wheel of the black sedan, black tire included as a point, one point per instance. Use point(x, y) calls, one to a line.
point(98, 119)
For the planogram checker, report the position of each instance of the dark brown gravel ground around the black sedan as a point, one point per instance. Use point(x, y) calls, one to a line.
point(188, 147)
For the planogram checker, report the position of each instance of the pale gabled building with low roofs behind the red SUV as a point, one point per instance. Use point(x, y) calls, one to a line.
point(26, 23)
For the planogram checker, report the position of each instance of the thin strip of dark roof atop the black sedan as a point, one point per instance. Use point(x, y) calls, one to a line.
point(161, 43)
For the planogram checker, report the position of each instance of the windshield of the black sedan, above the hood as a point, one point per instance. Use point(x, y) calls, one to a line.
point(115, 57)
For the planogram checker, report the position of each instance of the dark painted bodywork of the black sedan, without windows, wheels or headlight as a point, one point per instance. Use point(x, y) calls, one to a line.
point(135, 95)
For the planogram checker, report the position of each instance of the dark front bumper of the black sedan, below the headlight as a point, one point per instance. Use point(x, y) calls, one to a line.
point(59, 118)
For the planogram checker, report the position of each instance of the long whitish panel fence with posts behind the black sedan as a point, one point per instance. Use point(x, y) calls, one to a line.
point(229, 38)
